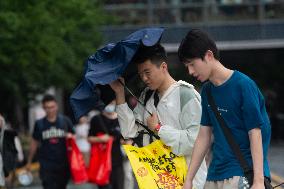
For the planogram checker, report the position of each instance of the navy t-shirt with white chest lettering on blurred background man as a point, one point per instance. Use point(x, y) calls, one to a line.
point(52, 149)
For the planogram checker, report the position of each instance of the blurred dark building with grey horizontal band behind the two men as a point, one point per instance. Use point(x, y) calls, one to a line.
point(249, 34)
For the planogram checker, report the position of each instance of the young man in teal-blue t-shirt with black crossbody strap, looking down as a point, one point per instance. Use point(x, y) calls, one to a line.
point(242, 106)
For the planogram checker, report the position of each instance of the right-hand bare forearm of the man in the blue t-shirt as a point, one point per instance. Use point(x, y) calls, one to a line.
point(257, 157)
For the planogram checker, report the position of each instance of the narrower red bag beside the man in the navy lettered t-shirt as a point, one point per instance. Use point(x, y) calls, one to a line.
point(76, 162)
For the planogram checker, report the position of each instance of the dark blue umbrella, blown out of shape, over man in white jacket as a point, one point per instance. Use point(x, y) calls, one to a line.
point(105, 66)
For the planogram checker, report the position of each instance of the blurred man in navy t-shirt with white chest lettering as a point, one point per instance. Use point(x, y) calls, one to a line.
point(49, 138)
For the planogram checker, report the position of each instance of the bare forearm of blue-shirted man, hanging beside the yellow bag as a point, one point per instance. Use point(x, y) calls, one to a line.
point(201, 146)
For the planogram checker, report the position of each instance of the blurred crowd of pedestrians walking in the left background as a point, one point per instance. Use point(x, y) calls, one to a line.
point(48, 146)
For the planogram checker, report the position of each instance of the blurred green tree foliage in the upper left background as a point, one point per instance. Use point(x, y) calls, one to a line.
point(45, 43)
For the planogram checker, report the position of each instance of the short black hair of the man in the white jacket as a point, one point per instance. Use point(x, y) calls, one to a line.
point(156, 54)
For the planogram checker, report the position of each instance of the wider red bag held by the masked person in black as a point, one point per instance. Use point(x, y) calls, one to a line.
point(100, 163)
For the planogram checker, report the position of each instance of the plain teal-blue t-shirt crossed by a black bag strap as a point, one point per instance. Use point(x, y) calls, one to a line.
point(242, 106)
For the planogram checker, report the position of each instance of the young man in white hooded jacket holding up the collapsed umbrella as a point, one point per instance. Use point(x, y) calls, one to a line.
point(175, 107)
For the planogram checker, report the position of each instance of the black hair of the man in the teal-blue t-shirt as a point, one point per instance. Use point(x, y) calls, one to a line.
point(195, 44)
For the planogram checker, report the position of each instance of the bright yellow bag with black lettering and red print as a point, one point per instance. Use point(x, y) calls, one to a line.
point(156, 167)
